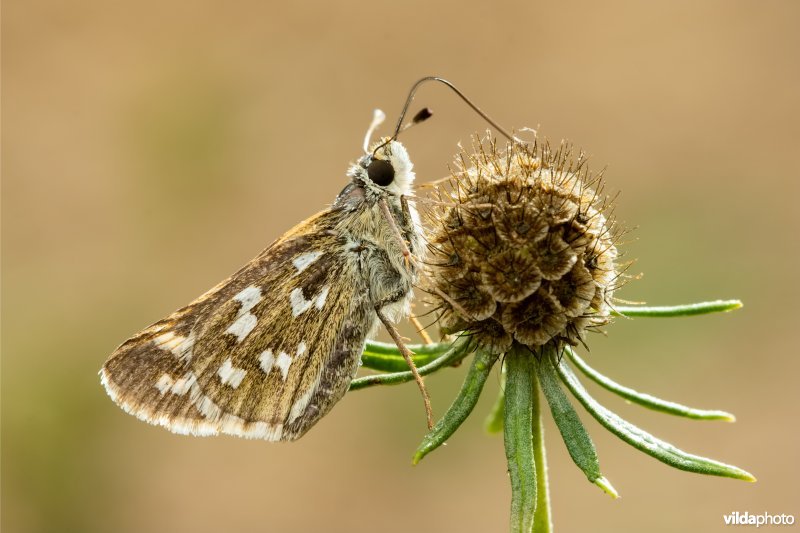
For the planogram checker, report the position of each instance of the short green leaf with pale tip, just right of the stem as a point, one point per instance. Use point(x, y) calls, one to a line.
point(578, 442)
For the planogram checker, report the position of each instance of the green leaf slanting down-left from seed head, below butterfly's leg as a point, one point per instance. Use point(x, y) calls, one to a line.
point(461, 407)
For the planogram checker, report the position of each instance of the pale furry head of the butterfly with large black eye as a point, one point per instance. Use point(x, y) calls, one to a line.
point(386, 168)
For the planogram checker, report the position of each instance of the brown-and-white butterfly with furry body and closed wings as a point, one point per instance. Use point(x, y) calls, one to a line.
point(267, 352)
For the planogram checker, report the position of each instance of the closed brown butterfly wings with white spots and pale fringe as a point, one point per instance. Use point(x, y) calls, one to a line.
point(264, 354)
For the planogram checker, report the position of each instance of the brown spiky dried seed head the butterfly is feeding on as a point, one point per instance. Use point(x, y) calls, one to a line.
point(525, 252)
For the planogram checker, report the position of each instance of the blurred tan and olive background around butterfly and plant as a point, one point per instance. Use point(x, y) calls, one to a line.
point(151, 148)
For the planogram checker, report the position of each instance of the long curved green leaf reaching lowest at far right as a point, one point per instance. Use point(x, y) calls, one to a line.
point(643, 441)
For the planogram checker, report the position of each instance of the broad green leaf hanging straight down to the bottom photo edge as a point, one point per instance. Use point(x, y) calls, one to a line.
point(518, 436)
